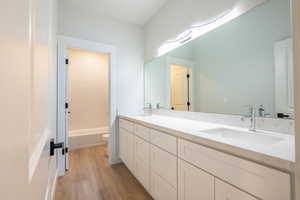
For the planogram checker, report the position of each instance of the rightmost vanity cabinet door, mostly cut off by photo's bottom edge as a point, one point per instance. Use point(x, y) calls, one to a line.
point(225, 191)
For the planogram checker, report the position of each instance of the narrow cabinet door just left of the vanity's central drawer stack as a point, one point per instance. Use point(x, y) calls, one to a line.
point(142, 162)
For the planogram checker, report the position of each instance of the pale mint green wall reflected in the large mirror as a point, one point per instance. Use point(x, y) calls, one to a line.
point(235, 63)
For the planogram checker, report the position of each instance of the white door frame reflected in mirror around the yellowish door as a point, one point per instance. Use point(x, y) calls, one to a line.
point(186, 63)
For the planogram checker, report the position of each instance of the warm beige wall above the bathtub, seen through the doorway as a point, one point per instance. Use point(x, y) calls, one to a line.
point(88, 86)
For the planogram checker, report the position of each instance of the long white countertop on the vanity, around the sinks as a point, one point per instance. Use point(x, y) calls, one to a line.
point(279, 155)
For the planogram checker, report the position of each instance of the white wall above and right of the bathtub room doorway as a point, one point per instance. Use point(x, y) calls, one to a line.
point(127, 38)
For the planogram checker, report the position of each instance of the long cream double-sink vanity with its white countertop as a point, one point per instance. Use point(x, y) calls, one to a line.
point(181, 159)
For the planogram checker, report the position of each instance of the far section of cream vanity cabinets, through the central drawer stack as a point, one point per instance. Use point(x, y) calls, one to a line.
point(149, 158)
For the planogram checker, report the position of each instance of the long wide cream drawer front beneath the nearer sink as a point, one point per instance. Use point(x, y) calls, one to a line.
point(258, 180)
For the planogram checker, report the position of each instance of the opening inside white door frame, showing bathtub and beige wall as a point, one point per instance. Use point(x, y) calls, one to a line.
point(87, 94)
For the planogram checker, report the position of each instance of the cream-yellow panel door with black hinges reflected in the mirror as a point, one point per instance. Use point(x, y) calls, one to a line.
point(179, 87)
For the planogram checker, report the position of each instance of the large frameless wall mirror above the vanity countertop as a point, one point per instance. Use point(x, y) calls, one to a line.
point(247, 61)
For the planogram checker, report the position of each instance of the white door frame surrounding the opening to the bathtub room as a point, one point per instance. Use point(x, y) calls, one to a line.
point(63, 44)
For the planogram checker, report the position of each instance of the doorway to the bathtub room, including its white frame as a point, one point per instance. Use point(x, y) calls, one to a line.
point(86, 97)
